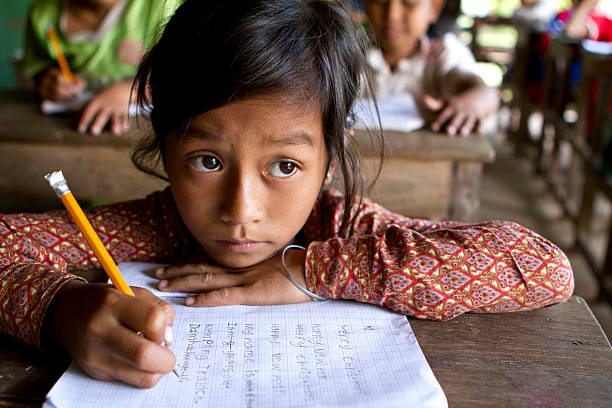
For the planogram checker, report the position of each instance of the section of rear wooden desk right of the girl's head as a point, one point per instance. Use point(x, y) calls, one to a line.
point(428, 174)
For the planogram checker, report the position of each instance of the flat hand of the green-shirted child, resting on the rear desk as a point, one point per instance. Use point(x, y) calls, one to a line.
point(110, 106)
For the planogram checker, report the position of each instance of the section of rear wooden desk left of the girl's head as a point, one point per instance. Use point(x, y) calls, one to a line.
point(33, 144)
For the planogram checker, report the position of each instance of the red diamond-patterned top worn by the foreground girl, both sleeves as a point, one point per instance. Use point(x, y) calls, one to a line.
point(434, 270)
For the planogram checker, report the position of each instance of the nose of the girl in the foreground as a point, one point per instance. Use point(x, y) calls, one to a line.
point(241, 204)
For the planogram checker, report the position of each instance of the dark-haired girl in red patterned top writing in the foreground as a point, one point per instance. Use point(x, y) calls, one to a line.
point(250, 101)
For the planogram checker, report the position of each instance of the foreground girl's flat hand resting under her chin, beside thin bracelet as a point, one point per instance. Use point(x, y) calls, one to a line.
point(263, 284)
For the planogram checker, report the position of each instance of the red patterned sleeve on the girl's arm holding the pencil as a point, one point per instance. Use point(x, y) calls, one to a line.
point(37, 251)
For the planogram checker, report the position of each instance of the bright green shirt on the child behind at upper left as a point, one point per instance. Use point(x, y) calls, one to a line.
point(112, 56)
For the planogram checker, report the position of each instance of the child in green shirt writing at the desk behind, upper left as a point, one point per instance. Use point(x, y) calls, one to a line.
point(103, 41)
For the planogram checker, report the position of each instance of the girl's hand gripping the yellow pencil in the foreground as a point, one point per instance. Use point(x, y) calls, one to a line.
point(113, 336)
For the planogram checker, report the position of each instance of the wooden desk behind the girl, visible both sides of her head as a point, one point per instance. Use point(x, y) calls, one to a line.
point(425, 174)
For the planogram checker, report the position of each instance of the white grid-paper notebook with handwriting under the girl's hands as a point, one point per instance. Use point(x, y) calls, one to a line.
point(315, 354)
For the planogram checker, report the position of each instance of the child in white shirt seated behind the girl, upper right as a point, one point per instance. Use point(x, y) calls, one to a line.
point(439, 74)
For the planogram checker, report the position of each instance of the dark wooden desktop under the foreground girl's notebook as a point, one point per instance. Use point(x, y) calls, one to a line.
point(552, 357)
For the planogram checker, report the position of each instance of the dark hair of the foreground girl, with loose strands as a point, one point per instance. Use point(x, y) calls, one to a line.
point(213, 52)
